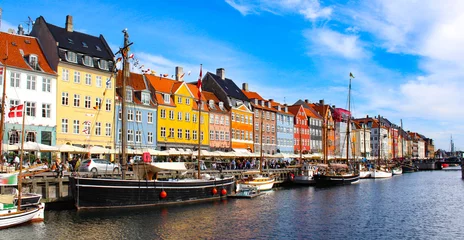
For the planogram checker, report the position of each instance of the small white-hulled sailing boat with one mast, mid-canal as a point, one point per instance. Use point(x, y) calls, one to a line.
point(255, 180)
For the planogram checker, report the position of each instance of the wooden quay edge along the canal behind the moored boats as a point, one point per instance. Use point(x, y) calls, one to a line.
point(55, 189)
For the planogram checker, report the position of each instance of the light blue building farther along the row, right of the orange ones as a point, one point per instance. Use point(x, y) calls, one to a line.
point(284, 126)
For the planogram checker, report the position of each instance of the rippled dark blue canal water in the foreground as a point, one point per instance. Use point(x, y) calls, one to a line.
point(422, 205)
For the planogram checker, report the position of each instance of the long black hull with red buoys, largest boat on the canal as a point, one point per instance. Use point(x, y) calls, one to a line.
point(117, 193)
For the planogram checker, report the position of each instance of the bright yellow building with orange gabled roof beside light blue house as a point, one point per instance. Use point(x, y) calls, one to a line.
point(178, 114)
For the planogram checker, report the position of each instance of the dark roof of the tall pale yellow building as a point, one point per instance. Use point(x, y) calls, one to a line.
point(75, 41)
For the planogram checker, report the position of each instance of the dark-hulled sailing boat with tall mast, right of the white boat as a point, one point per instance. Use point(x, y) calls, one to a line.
point(339, 174)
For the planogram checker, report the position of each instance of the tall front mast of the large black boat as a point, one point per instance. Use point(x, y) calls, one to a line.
point(125, 76)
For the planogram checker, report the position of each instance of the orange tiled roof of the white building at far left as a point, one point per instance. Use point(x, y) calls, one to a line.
point(28, 45)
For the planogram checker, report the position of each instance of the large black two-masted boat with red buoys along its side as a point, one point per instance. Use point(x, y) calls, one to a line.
point(147, 189)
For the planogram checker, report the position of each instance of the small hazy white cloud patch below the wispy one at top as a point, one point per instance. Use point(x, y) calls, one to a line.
point(328, 42)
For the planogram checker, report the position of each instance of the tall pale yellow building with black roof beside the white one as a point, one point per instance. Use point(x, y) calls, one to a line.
point(85, 91)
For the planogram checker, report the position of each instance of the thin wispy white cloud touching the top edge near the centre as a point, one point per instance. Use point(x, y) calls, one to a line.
point(309, 9)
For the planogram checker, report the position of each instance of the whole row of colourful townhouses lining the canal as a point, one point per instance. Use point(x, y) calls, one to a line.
point(65, 80)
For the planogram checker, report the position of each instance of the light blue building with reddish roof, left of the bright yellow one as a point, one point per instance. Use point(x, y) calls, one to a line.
point(141, 113)
